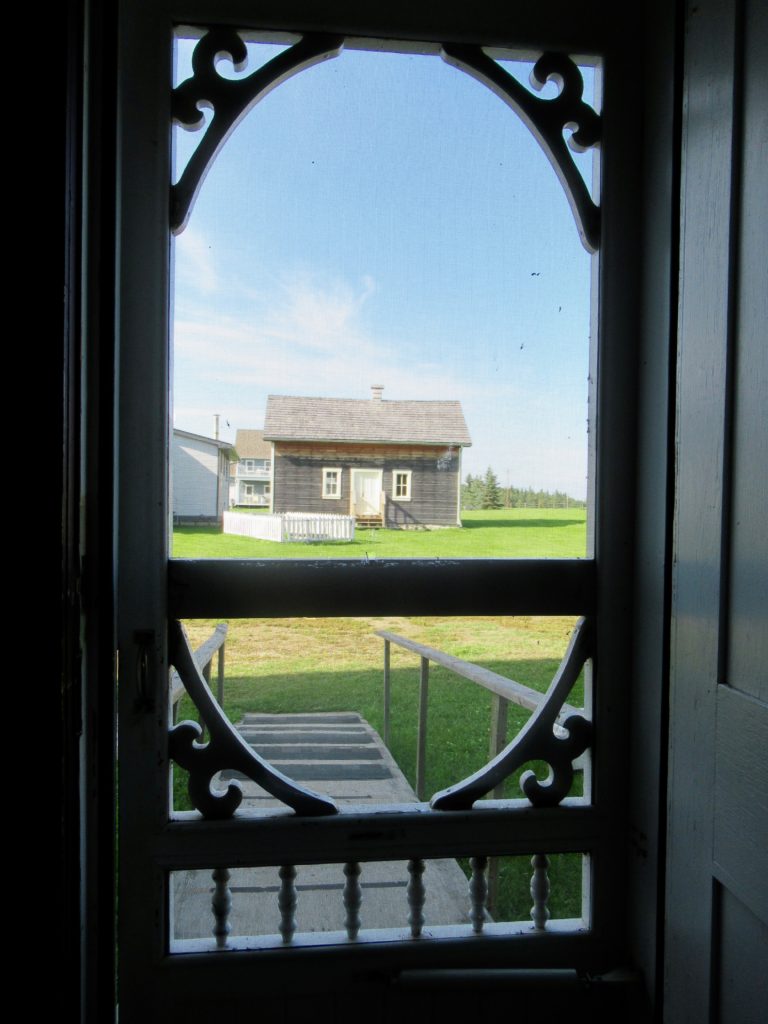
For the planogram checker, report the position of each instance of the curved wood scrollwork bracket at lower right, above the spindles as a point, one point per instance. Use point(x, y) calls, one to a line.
point(536, 742)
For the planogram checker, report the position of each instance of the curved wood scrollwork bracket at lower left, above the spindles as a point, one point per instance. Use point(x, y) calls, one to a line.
point(227, 749)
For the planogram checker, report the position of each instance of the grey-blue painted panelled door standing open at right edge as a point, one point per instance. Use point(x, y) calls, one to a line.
point(717, 897)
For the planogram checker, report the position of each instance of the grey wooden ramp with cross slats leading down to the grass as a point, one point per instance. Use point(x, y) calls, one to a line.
point(343, 756)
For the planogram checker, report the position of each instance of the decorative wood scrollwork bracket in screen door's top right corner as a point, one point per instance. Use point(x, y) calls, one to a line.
point(546, 120)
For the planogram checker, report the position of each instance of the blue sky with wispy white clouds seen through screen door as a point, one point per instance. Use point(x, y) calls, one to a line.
point(386, 220)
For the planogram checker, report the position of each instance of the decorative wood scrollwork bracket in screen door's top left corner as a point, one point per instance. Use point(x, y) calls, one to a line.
point(231, 100)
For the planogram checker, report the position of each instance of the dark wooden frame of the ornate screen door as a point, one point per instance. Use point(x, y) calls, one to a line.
point(474, 587)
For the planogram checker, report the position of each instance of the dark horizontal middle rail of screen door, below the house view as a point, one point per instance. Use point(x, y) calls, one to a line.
point(290, 588)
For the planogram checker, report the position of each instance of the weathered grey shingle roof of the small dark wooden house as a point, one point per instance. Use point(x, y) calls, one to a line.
point(291, 418)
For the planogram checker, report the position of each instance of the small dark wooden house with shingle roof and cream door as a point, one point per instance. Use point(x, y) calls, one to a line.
point(394, 464)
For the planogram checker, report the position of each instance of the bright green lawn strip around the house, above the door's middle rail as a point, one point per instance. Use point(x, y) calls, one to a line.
point(498, 534)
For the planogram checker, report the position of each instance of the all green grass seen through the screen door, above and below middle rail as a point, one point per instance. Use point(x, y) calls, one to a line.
point(307, 665)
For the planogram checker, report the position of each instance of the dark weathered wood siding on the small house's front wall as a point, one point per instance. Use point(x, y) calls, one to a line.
point(435, 482)
